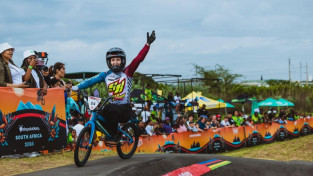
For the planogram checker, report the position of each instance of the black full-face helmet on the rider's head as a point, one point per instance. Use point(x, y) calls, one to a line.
point(116, 52)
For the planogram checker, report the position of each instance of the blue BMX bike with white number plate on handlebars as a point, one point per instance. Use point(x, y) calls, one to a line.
point(128, 133)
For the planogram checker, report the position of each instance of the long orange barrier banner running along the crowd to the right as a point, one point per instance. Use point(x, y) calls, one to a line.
point(221, 139)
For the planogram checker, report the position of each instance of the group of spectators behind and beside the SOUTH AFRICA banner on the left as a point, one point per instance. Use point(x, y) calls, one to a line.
point(32, 74)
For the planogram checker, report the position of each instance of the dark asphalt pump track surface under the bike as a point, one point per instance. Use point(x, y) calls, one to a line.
point(160, 164)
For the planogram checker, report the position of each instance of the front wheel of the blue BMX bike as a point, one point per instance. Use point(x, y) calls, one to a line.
point(83, 147)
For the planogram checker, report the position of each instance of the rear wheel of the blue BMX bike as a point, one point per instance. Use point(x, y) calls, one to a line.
point(128, 143)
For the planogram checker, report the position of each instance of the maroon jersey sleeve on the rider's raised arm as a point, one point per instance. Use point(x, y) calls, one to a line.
point(132, 67)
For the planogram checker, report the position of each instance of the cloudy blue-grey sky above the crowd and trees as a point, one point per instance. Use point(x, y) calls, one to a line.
point(249, 37)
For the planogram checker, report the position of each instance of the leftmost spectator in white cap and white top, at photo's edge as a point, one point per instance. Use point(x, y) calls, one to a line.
point(10, 74)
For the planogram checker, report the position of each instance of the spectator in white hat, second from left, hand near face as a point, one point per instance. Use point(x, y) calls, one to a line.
point(36, 79)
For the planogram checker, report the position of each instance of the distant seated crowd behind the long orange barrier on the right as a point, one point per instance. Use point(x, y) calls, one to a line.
point(164, 124)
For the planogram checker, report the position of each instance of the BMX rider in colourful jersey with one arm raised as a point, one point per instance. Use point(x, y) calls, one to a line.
point(119, 82)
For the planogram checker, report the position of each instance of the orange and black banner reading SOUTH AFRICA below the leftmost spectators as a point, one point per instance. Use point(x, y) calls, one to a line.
point(30, 121)
